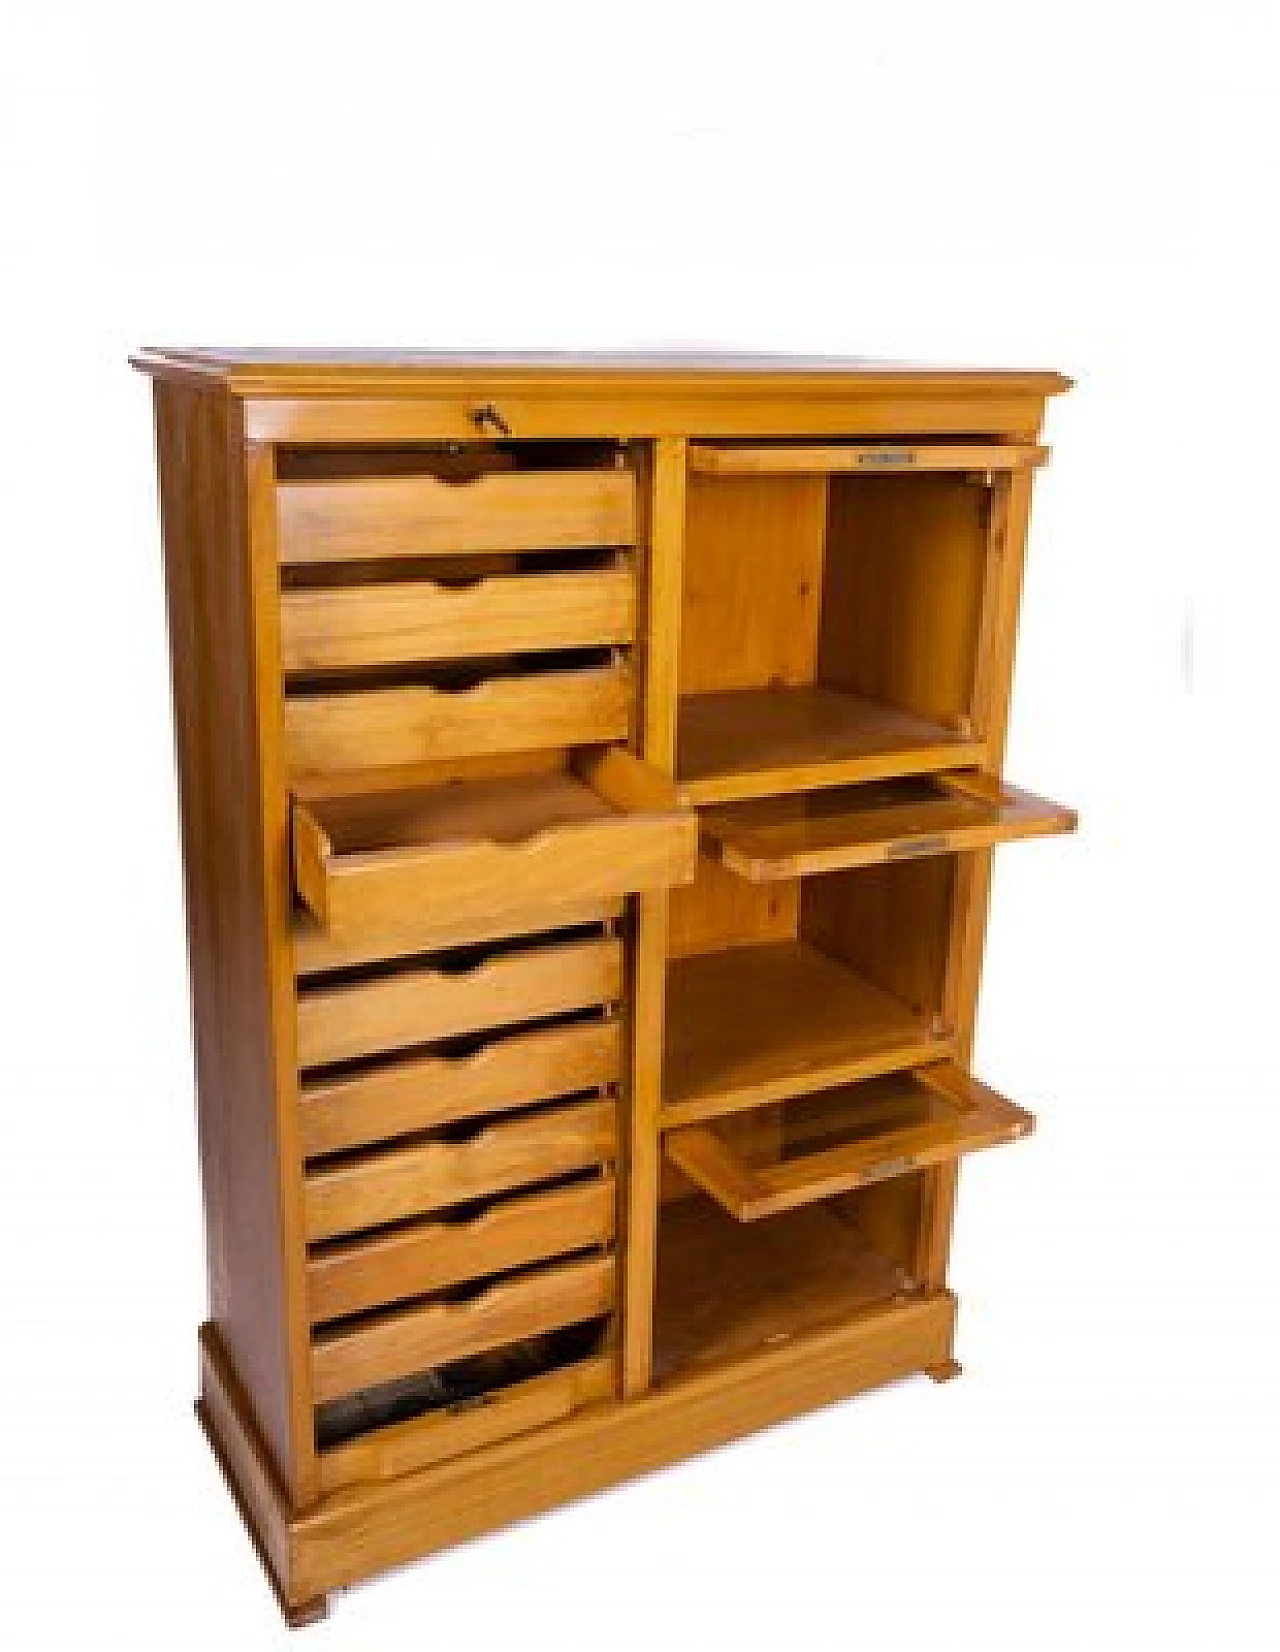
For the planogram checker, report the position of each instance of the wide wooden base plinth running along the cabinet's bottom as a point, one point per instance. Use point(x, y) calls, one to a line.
point(363, 1531)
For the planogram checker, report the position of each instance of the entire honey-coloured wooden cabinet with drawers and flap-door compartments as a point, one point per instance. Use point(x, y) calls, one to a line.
point(590, 772)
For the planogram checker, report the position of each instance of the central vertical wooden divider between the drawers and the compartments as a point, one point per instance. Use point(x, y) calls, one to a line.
point(661, 538)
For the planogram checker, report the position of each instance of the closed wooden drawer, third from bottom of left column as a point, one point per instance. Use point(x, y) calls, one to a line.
point(420, 1258)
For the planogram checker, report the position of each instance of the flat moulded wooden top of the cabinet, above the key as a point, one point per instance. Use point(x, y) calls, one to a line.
point(356, 371)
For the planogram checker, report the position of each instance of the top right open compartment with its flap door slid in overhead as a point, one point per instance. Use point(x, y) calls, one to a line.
point(835, 614)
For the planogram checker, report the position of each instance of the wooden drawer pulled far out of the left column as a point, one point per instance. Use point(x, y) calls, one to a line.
point(607, 825)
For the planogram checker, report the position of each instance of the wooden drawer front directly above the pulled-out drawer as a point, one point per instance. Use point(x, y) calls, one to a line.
point(363, 729)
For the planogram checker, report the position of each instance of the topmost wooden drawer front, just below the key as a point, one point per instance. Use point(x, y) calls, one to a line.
point(348, 520)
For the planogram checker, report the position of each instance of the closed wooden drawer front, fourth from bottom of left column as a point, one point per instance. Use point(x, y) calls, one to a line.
point(407, 1182)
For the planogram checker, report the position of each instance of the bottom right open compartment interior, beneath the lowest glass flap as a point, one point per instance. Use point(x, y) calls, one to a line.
point(728, 1289)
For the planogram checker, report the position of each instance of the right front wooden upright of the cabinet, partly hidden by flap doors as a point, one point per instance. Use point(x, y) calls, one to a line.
point(993, 688)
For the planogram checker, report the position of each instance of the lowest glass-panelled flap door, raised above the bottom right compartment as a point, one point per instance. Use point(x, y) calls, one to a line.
point(837, 1141)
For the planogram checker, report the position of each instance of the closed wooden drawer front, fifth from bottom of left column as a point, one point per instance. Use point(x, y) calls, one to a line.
point(430, 1091)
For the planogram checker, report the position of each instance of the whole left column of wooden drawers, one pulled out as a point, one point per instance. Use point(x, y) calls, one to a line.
point(467, 827)
